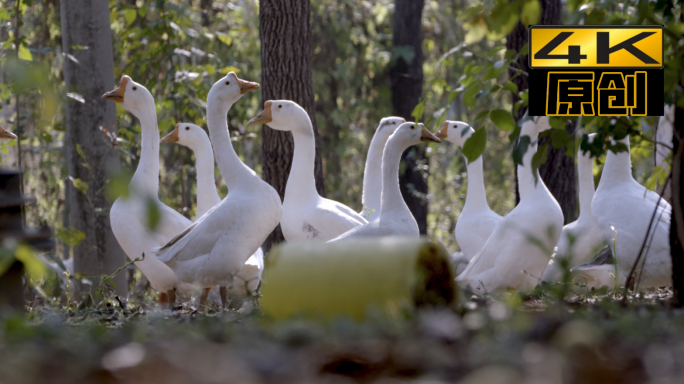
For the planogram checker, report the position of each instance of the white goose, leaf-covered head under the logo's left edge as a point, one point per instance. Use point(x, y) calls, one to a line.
point(517, 252)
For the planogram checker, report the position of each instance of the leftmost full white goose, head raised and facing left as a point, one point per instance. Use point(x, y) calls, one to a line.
point(128, 215)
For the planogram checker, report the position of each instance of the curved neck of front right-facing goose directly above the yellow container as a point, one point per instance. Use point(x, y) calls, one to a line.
point(392, 199)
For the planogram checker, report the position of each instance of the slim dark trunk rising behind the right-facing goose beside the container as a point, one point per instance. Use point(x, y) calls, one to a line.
point(407, 88)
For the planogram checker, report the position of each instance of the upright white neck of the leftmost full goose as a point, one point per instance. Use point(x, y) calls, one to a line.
point(146, 177)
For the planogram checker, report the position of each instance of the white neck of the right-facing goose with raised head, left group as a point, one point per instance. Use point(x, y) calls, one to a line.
point(233, 170)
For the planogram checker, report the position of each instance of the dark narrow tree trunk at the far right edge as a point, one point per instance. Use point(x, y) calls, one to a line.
point(677, 220)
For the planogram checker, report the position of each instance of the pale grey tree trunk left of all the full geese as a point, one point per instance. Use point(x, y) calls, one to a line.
point(86, 23)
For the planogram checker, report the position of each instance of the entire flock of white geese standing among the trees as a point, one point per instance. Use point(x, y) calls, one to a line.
point(220, 250)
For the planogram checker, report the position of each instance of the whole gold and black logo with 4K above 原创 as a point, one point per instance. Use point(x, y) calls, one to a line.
point(595, 70)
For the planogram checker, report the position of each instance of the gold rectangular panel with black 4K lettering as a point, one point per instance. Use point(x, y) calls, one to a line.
point(596, 47)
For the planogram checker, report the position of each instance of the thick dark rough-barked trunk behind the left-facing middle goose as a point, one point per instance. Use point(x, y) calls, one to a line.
point(285, 31)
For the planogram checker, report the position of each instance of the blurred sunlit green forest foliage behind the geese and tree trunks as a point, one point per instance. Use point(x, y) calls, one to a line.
point(177, 49)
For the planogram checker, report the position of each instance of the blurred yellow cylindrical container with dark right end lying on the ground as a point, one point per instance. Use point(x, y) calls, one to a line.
point(352, 279)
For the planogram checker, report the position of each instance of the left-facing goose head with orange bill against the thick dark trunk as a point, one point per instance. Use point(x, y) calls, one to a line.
point(282, 115)
